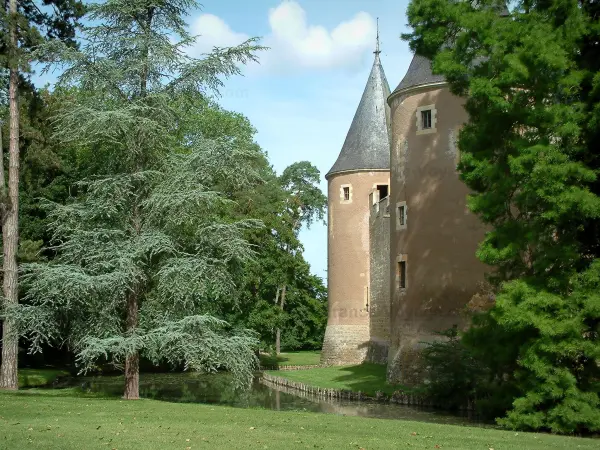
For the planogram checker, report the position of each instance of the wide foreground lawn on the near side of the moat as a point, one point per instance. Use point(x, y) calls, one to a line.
point(60, 419)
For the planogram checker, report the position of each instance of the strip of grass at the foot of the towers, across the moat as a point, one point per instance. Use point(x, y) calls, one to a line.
point(367, 378)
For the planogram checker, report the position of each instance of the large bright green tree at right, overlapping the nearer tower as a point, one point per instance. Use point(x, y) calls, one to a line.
point(529, 154)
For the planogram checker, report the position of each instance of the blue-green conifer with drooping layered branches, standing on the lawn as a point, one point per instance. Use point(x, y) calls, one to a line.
point(146, 247)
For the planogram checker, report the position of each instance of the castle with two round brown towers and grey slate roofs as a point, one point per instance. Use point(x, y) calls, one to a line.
point(401, 240)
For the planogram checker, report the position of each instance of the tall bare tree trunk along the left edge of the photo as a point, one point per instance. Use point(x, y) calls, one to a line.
point(10, 220)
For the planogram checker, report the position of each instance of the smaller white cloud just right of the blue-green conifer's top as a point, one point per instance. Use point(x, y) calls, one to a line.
point(212, 31)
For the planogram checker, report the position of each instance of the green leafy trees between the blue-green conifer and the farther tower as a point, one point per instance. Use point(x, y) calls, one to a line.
point(283, 203)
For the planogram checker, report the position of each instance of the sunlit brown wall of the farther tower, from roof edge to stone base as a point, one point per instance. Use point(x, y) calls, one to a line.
point(347, 334)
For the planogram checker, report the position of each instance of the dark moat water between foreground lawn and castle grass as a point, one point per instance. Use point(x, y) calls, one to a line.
point(218, 390)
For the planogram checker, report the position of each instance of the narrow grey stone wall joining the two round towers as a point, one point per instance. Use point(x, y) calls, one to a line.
point(379, 289)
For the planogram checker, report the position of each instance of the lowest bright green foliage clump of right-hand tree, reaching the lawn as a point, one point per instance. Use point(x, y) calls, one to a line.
point(559, 361)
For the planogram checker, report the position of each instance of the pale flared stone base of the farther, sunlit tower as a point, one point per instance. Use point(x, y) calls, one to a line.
point(345, 345)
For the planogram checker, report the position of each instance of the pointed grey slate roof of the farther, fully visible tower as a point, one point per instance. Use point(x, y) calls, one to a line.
point(367, 144)
